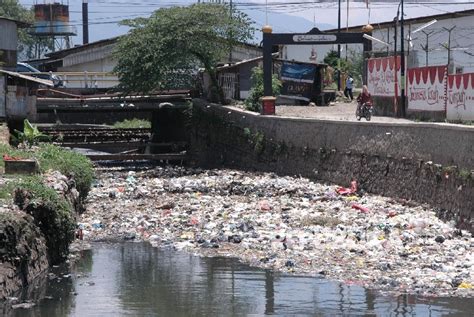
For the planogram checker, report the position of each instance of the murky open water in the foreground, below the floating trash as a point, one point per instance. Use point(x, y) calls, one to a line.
point(134, 279)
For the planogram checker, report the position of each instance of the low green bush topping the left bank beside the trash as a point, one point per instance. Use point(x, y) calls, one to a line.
point(69, 163)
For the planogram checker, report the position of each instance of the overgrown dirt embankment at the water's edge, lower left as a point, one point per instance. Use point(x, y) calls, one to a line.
point(35, 230)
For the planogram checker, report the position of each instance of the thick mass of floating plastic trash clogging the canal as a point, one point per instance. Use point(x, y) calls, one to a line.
point(289, 224)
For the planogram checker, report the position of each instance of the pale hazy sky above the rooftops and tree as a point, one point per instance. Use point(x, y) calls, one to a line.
point(104, 14)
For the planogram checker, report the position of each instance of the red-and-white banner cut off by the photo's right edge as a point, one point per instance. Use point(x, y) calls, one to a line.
point(460, 97)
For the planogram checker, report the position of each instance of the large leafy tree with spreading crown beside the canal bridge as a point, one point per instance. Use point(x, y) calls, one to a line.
point(158, 52)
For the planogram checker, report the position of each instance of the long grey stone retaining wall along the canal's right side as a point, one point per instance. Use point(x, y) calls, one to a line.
point(427, 163)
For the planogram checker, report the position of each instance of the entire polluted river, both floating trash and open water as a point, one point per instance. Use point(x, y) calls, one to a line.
point(174, 241)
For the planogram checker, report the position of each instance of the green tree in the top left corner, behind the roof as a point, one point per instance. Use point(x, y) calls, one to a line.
point(12, 9)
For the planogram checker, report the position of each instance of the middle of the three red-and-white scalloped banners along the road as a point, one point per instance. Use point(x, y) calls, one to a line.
point(427, 88)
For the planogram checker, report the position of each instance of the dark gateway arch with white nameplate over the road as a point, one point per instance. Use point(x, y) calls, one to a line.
point(313, 37)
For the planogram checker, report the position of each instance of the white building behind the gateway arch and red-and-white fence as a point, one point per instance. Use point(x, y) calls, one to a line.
point(452, 35)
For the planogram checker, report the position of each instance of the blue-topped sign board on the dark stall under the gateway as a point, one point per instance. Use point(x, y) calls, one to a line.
point(298, 79)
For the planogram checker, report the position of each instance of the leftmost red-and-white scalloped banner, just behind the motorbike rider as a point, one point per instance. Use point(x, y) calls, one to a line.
point(381, 76)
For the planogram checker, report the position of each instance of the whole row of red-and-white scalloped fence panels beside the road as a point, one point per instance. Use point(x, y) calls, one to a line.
point(429, 90)
